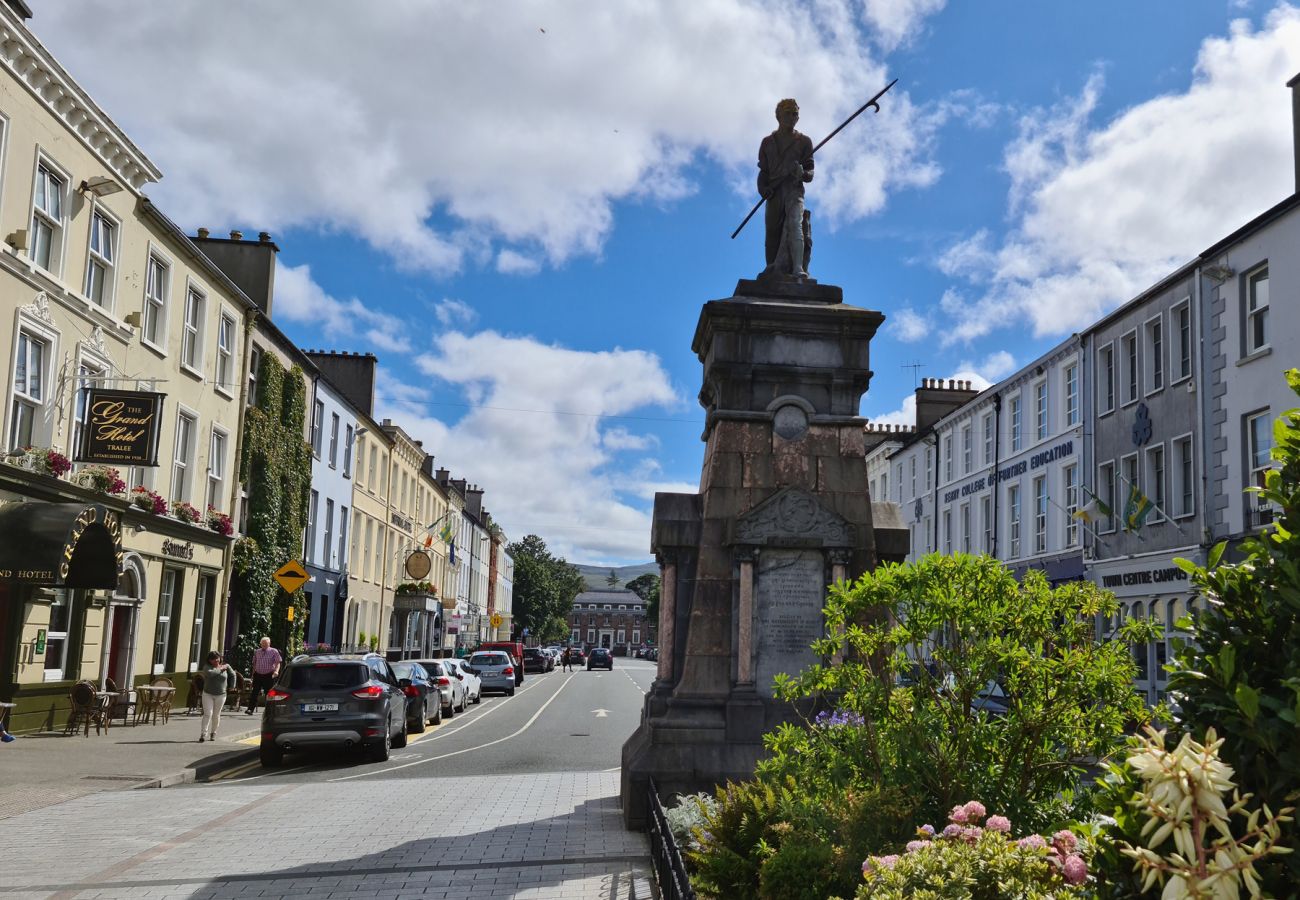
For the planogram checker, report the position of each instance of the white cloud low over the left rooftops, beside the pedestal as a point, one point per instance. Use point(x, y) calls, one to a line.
point(538, 436)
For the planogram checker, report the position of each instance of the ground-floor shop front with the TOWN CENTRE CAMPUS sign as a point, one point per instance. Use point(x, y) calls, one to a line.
point(1150, 587)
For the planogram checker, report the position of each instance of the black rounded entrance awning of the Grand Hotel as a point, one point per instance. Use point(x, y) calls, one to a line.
point(71, 546)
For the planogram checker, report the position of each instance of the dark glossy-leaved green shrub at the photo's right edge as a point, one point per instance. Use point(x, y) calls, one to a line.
point(1241, 670)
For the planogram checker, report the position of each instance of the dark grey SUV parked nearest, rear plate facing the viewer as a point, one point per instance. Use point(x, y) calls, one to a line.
point(335, 700)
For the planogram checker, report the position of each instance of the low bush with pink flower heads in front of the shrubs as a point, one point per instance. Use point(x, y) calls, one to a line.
point(978, 863)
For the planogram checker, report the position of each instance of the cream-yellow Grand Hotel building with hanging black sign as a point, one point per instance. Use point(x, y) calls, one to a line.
point(103, 293)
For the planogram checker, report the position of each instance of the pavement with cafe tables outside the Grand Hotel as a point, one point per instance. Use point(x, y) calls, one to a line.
point(49, 768)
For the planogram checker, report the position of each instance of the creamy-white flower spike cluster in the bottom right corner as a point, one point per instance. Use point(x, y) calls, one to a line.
point(1181, 799)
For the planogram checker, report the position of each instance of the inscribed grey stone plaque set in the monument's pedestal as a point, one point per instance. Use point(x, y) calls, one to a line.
point(788, 599)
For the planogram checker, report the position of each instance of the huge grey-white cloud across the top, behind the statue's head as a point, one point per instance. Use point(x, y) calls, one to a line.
point(445, 135)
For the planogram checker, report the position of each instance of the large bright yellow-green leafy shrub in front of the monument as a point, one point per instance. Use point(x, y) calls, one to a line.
point(930, 732)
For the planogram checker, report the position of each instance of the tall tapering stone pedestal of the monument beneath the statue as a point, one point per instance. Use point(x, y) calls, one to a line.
point(782, 513)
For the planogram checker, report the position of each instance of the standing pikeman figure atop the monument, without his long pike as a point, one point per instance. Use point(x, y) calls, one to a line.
point(785, 167)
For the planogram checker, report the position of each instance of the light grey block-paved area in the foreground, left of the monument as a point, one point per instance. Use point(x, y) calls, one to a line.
point(545, 837)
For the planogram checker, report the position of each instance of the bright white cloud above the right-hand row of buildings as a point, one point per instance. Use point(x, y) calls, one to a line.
point(1103, 211)
